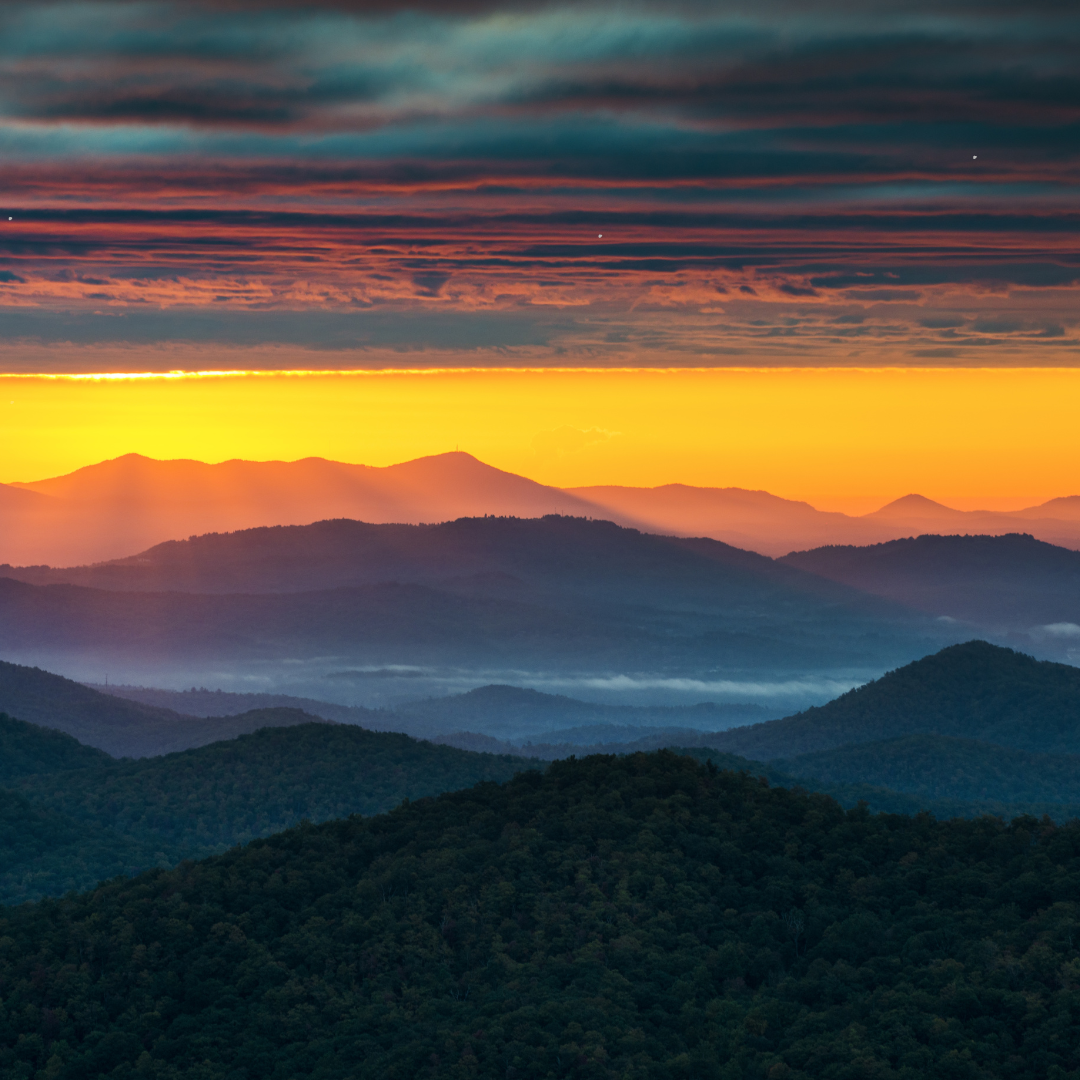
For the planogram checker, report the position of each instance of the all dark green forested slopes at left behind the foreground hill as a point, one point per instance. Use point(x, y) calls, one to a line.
point(72, 816)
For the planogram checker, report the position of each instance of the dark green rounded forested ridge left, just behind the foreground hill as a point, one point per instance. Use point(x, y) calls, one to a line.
point(202, 802)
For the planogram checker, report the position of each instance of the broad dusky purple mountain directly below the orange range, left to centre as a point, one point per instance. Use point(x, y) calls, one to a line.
point(514, 559)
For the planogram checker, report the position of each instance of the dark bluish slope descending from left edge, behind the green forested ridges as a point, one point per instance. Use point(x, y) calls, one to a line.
point(121, 728)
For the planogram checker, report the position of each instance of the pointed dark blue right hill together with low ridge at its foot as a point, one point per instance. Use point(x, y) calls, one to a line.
point(974, 723)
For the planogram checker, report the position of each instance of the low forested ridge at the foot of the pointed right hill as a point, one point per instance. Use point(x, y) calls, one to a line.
point(942, 767)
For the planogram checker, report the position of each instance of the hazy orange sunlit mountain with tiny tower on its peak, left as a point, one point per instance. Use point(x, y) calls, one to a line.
point(132, 503)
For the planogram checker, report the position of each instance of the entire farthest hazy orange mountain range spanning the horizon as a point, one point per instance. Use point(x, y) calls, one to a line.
point(118, 508)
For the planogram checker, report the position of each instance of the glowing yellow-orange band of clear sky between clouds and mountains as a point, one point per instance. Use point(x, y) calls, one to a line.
point(843, 439)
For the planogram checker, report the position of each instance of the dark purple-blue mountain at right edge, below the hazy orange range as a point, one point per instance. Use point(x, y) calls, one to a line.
point(1007, 583)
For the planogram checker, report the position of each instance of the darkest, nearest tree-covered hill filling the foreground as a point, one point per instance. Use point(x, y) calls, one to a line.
point(615, 917)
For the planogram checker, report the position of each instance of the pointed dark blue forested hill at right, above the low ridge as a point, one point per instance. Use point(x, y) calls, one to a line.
point(969, 692)
